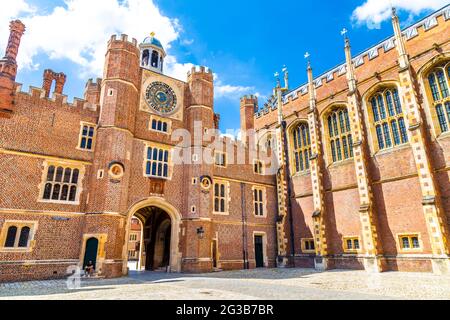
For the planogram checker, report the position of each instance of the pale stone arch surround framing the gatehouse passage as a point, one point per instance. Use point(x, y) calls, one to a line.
point(174, 255)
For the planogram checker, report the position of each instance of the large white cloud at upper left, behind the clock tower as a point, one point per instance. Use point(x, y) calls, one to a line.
point(79, 31)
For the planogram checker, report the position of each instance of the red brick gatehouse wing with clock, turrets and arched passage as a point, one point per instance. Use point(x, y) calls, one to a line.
point(77, 173)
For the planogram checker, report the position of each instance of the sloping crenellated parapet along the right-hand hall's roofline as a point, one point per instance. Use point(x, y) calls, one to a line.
point(372, 54)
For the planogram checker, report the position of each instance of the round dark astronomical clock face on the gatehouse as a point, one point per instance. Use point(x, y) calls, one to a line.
point(161, 98)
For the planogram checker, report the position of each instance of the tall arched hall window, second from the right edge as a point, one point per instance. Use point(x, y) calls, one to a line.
point(387, 118)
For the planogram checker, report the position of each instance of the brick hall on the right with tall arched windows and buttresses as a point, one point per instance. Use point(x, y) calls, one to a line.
point(368, 144)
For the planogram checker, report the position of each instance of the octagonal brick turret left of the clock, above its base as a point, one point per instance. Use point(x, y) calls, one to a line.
point(119, 102)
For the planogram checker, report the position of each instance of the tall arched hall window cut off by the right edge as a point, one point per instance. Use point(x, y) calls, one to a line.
point(438, 88)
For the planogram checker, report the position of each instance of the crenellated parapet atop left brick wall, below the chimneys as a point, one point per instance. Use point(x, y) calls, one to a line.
point(56, 98)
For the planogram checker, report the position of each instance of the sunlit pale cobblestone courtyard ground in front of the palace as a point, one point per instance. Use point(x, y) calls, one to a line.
point(291, 284)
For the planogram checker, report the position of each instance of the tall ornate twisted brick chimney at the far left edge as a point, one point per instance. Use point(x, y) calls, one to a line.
point(8, 68)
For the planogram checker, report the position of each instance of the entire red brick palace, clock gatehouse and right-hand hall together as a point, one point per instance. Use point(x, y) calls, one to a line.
point(364, 180)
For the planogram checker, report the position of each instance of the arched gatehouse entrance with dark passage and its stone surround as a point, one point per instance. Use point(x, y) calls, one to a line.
point(158, 246)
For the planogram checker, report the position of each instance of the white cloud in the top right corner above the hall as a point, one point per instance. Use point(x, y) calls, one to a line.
point(373, 12)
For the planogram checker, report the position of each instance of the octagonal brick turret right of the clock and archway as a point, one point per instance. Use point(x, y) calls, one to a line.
point(199, 205)
